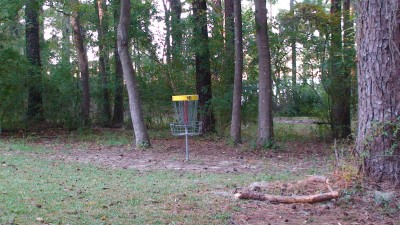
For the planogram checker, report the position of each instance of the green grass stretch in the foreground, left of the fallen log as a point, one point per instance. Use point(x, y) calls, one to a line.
point(36, 190)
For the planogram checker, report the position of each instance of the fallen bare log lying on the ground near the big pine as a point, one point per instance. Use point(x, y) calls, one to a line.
point(288, 199)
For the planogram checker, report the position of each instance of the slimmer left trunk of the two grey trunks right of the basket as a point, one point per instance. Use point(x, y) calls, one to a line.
point(237, 89)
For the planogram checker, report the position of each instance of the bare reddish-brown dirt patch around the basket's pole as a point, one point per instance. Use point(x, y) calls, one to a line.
point(165, 155)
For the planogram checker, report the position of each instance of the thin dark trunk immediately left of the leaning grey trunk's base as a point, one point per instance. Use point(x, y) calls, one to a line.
point(118, 117)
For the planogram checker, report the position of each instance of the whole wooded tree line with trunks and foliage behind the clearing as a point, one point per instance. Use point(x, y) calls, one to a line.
point(238, 58)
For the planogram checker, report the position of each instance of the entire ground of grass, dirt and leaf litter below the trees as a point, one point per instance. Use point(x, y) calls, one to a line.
point(94, 177)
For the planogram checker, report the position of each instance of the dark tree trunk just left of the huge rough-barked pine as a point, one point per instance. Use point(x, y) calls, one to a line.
point(339, 85)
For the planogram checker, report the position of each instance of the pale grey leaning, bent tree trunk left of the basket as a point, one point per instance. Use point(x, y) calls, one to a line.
point(141, 136)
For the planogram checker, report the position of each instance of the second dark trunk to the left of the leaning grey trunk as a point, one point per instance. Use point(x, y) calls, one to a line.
point(102, 28)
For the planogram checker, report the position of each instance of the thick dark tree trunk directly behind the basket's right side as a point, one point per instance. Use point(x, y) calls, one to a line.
point(202, 61)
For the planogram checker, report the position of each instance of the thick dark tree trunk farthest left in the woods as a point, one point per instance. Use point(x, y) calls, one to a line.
point(32, 34)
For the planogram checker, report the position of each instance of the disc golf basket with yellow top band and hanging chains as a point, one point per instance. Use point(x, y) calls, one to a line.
point(185, 107)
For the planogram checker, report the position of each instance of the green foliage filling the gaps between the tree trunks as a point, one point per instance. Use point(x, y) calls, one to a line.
point(309, 23)
